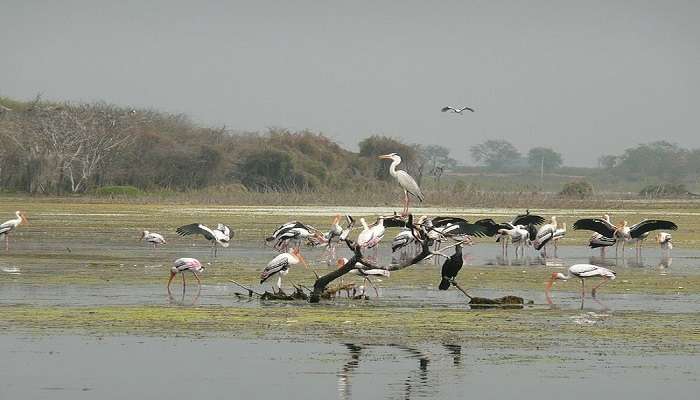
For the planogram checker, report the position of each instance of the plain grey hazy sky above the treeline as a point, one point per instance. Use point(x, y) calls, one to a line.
point(584, 77)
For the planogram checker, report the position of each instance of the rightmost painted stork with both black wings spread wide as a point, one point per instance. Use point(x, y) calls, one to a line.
point(623, 233)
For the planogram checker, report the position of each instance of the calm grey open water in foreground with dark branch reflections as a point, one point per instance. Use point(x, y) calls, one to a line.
point(69, 367)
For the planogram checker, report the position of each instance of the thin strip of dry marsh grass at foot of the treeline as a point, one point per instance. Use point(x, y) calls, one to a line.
point(382, 195)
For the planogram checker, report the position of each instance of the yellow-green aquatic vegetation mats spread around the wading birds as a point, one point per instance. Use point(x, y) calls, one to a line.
point(63, 247)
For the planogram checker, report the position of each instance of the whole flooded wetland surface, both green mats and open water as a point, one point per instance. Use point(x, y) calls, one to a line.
point(78, 278)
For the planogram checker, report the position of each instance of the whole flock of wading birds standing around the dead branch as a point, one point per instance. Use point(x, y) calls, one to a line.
point(419, 239)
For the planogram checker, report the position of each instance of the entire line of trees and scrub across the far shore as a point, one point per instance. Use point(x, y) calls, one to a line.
point(55, 148)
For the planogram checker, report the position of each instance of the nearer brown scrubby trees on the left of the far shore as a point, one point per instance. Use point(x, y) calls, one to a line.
point(74, 148)
